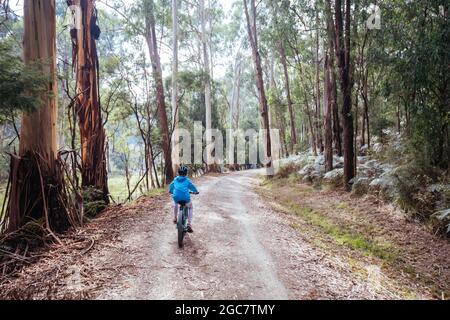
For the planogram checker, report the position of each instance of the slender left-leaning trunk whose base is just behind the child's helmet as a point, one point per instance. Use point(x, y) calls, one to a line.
point(157, 76)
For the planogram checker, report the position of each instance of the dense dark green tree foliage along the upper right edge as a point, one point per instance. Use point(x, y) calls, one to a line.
point(410, 53)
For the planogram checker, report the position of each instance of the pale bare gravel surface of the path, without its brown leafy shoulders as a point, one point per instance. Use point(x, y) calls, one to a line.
point(224, 258)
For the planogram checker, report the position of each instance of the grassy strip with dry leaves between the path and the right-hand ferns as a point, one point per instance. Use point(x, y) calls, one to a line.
point(340, 226)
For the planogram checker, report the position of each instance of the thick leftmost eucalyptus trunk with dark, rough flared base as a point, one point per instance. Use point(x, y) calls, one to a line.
point(37, 186)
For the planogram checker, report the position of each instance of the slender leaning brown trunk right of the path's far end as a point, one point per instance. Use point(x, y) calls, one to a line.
point(253, 37)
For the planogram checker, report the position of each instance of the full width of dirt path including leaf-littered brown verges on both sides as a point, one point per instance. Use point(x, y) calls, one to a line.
point(241, 249)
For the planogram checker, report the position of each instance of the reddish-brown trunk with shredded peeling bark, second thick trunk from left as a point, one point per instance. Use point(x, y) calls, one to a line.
point(92, 132)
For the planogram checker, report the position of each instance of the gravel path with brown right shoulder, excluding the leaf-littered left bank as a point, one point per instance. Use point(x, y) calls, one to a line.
point(240, 250)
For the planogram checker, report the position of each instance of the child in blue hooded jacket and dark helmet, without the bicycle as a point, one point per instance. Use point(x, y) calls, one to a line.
point(181, 188)
